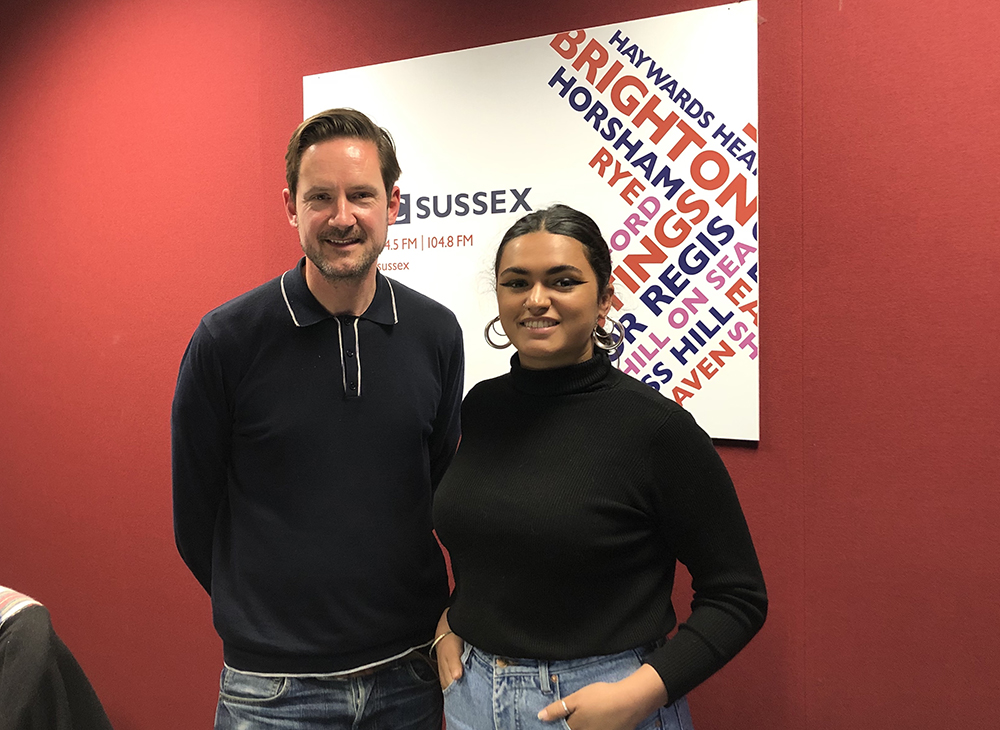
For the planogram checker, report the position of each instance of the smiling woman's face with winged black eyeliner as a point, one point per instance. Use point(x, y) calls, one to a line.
point(548, 300)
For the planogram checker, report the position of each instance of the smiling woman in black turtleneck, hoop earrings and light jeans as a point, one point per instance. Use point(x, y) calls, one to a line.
point(573, 493)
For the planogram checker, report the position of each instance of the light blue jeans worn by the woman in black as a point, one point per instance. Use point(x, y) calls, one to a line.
point(498, 693)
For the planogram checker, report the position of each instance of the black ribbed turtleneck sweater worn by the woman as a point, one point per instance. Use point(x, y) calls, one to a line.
point(573, 494)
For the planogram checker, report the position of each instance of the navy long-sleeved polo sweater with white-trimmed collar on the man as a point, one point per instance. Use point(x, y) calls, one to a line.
point(306, 447)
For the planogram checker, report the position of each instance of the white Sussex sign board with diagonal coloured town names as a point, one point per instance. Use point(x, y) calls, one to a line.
point(649, 127)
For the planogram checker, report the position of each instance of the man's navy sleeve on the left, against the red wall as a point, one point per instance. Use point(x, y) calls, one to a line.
point(200, 428)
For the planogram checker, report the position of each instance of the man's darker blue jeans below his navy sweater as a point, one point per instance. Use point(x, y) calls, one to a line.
point(404, 695)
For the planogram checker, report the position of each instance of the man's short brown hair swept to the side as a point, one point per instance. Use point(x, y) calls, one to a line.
point(333, 124)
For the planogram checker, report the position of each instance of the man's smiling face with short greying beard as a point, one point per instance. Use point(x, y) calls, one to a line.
point(341, 209)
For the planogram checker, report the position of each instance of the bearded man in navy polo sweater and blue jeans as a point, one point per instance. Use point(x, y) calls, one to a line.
point(312, 419)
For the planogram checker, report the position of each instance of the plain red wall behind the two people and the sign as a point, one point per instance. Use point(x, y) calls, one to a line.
point(141, 167)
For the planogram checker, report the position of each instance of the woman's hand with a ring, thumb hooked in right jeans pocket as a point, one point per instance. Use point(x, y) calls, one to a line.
point(611, 705)
